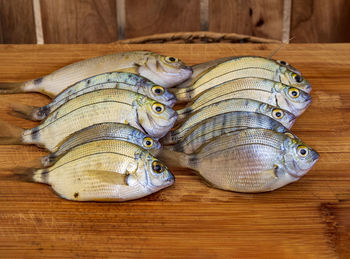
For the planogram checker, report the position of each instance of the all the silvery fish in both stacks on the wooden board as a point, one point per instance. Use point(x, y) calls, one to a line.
point(110, 114)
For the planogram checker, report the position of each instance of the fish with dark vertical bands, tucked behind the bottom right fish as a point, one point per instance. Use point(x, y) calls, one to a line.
point(221, 124)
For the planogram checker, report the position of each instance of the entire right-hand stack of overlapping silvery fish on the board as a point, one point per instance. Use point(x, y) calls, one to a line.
point(234, 131)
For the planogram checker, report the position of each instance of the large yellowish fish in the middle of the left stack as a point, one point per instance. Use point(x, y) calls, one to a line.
point(107, 105)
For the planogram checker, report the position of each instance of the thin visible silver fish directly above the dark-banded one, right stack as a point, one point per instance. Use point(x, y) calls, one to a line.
point(284, 117)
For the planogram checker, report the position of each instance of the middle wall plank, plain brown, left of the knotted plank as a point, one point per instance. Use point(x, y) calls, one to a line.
point(157, 16)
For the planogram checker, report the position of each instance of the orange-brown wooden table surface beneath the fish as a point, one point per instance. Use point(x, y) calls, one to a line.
point(306, 219)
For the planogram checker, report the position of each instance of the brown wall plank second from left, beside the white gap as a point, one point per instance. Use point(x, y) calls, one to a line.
point(79, 21)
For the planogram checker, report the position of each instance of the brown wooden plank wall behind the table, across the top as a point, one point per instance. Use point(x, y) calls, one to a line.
point(103, 21)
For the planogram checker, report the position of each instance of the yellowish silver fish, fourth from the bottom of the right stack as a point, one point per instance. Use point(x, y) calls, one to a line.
point(274, 93)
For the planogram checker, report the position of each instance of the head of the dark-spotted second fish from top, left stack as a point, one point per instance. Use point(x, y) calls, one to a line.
point(160, 94)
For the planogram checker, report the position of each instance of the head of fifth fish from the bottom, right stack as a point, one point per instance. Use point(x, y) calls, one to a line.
point(294, 78)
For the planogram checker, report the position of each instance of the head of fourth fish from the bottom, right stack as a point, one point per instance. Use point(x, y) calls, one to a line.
point(292, 99)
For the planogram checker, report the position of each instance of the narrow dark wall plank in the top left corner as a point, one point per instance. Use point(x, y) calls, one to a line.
point(17, 22)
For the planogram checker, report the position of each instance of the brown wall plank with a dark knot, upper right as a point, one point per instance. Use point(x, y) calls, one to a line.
point(258, 18)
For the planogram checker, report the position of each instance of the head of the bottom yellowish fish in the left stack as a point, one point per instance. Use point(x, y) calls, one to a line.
point(157, 174)
